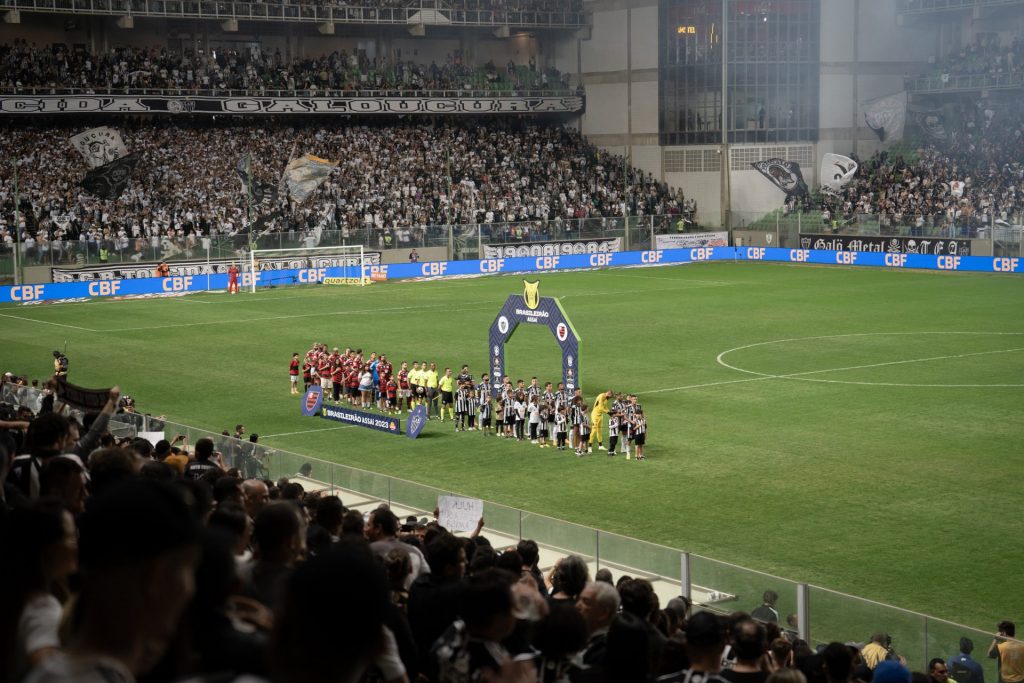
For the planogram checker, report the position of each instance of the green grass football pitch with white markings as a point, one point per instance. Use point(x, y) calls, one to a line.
point(859, 430)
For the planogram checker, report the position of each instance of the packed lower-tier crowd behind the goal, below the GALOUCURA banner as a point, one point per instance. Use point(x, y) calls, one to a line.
point(397, 184)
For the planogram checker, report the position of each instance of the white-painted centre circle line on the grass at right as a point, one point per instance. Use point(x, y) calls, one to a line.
point(803, 376)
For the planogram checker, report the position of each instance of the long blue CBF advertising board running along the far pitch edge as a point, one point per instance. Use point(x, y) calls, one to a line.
point(146, 287)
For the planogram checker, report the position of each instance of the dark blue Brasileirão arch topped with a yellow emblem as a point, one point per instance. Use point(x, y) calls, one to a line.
point(532, 309)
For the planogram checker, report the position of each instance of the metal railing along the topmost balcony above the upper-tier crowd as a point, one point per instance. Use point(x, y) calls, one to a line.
point(425, 13)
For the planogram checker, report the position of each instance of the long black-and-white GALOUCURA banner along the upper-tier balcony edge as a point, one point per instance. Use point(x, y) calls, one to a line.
point(74, 105)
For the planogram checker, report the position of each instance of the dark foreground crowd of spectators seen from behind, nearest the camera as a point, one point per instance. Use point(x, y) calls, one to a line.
point(125, 562)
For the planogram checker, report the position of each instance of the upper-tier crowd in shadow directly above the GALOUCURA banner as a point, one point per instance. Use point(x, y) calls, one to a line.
point(60, 68)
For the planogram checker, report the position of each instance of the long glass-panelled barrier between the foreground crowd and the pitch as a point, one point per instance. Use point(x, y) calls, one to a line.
point(818, 615)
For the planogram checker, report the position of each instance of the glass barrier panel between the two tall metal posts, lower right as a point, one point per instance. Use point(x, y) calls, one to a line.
point(726, 587)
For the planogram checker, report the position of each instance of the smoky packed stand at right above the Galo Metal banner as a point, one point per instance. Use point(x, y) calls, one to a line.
point(982, 147)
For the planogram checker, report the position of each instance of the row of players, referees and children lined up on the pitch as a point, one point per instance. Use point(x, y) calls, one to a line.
point(549, 417)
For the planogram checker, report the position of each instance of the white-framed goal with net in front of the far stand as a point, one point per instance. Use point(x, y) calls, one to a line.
point(324, 266)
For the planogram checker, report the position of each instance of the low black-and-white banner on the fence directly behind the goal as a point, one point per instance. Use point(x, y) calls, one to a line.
point(184, 269)
